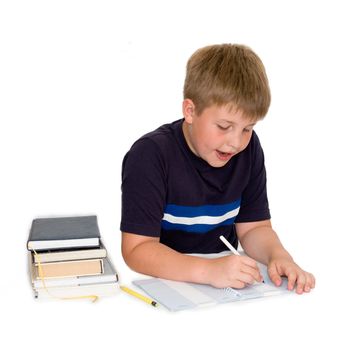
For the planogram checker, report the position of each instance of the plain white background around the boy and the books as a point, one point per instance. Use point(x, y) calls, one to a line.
point(81, 80)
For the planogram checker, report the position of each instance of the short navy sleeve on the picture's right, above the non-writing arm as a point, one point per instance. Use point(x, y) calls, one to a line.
point(254, 201)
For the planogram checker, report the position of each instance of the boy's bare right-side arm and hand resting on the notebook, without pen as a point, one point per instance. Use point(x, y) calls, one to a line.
point(261, 242)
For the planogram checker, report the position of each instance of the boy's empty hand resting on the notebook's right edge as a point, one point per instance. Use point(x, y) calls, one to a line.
point(302, 281)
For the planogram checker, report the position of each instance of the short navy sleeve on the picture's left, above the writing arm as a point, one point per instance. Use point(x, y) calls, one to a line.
point(143, 189)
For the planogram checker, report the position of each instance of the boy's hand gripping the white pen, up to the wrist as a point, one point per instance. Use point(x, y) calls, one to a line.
point(233, 271)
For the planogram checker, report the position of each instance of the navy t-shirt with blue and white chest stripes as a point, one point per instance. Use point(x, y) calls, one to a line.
point(170, 193)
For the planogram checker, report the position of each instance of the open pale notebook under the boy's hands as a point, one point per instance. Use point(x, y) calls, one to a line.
point(177, 296)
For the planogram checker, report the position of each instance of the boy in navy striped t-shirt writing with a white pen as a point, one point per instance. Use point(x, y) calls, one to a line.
point(187, 183)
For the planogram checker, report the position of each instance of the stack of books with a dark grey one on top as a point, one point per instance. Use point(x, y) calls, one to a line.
point(67, 259)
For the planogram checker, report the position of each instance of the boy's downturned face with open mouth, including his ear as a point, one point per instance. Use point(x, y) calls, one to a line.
point(217, 134)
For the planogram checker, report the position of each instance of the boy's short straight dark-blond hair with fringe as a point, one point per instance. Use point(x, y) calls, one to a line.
point(228, 74)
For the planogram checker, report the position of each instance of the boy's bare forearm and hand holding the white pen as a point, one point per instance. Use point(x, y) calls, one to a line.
point(148, 256)
